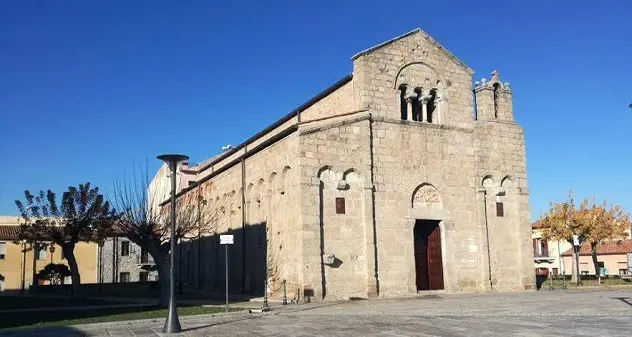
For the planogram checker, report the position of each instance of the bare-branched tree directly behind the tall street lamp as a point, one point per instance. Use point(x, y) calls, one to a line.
point(144, 219)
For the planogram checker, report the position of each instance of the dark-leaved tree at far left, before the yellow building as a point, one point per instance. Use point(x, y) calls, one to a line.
point(82, 215)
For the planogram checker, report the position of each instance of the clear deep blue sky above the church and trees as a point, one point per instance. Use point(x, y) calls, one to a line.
point(87, 88)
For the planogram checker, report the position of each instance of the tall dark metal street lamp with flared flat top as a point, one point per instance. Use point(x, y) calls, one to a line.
point(172, 324)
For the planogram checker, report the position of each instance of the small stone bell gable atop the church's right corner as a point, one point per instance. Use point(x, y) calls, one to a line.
point(493, 99)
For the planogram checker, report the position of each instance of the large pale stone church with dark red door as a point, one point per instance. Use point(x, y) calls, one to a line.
point(403, 176)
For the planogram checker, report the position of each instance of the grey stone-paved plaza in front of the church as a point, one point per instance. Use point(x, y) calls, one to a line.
point(542, 313)
